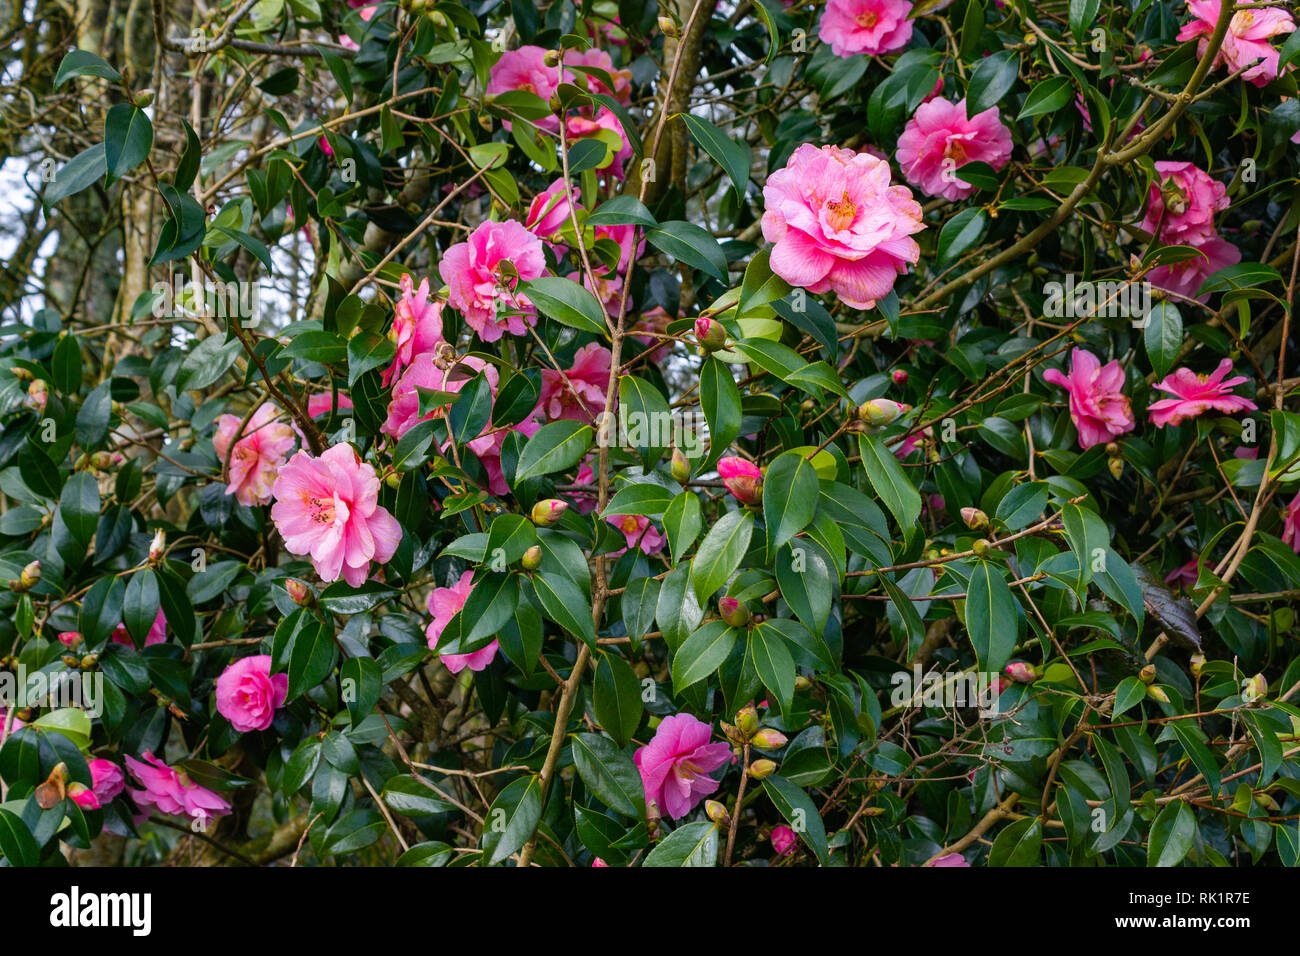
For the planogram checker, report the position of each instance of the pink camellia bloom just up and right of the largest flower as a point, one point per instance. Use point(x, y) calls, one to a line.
point(942, 139)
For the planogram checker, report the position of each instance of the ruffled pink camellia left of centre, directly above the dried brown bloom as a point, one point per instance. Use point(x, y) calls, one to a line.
point(478, 287)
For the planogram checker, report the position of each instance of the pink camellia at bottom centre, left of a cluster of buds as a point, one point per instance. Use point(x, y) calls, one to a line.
point(675, 764)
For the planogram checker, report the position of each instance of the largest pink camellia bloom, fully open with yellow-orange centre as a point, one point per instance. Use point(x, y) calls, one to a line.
point(838, 226)
